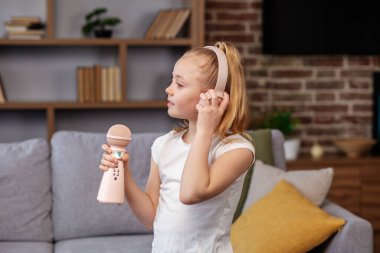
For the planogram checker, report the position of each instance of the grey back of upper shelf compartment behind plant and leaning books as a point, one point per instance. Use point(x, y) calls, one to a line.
point(136, 15)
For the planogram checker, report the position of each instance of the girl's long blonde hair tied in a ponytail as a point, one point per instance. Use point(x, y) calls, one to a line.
point(235, 118)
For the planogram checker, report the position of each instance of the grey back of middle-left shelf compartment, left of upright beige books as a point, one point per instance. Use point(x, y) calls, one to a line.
point(46, 73)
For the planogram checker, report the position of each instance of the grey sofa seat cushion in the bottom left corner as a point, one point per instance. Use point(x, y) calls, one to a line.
point(26, 247)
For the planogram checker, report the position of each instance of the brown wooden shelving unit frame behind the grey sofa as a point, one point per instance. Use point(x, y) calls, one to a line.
point(195, 39)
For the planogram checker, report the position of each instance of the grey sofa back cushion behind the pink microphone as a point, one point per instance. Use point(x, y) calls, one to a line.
point(76, 178)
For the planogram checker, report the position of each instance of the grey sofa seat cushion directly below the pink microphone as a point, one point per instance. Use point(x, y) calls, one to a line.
point(114, 244)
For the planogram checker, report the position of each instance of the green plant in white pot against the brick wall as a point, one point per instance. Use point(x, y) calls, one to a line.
point(286, 123)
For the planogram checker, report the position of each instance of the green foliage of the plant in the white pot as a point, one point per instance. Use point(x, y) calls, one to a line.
point(281, 120)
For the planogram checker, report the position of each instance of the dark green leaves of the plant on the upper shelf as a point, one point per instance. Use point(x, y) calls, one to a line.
point(94, 20)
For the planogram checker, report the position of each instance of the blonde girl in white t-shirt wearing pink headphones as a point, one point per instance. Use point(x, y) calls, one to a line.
point(197, 170)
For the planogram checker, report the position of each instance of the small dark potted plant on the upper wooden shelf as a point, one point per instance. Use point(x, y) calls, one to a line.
point(98, 25)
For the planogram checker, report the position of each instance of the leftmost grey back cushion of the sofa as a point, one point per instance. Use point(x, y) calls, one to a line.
point(25, 191)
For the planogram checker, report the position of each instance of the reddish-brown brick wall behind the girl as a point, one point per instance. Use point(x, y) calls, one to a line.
point(331, 95)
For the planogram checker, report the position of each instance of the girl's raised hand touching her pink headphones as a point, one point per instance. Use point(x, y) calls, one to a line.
point(210, 110)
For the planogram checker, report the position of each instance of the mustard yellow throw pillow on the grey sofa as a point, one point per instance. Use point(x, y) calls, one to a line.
point(282, 221)
